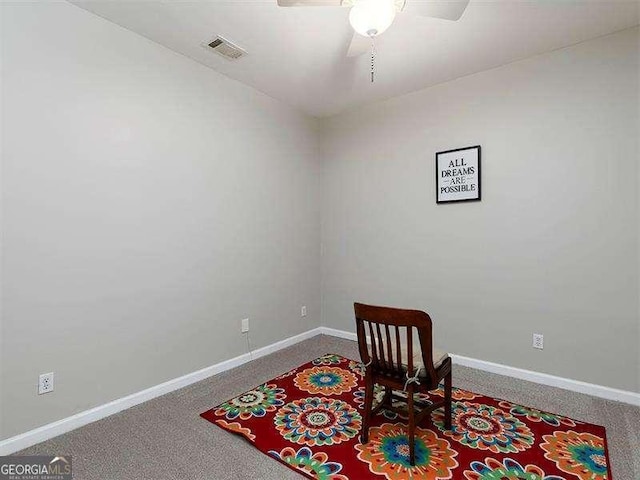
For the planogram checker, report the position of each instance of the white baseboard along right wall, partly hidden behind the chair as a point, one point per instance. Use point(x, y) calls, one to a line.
point(531, 376)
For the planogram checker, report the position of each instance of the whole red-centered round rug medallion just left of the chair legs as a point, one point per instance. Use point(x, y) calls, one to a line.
point(318, 421)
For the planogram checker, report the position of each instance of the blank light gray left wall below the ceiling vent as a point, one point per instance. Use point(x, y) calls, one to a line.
point(149, 204)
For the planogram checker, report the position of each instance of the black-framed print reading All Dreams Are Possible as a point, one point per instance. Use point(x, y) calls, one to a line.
point(458, 175)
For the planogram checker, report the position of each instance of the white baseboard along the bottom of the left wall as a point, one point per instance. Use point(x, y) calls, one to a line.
point(65, 425)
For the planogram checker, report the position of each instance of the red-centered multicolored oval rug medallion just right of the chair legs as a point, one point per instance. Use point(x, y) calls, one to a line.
point(485, 427)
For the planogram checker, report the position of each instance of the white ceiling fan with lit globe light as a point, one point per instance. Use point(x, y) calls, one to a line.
point(370, 18)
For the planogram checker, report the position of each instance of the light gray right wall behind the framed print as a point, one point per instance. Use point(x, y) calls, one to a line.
point(551, 248)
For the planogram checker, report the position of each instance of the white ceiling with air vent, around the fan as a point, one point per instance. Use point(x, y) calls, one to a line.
point(297, 54)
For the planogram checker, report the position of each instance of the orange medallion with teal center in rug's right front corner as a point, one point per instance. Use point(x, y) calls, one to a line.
point(580, 454)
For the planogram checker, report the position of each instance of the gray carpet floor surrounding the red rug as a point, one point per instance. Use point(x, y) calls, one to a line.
point(166, 439)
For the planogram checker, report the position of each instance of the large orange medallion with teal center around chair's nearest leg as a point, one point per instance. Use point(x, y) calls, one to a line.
point(387, 453)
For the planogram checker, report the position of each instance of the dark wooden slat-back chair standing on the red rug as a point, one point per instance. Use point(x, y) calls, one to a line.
point(392, 361)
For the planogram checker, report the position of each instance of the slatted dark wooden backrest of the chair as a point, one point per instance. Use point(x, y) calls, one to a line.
point(382, 334)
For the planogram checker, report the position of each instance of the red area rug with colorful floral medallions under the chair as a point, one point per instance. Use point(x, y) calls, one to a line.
point(310, 419)
